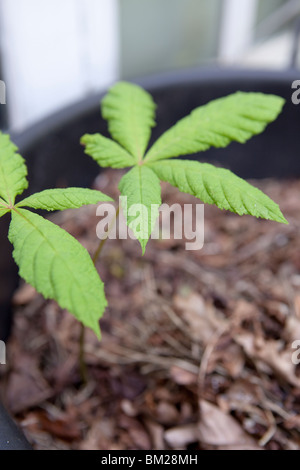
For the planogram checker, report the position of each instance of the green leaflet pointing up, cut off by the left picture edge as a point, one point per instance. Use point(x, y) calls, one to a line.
point(13, 170)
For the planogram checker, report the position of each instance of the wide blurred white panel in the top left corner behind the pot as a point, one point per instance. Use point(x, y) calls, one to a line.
point(54, 52)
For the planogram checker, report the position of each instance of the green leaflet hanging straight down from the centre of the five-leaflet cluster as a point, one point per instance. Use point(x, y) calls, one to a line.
point(142, 192)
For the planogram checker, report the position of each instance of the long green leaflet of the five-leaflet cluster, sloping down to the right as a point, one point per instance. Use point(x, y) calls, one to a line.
point(218, 186)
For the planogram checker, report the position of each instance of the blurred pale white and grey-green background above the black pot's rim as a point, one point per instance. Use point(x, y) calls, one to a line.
point(54, 53)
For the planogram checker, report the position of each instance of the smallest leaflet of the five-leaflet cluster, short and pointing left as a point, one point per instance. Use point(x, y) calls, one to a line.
point(106, 152)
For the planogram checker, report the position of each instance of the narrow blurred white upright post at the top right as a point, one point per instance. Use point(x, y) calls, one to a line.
point(237, 28)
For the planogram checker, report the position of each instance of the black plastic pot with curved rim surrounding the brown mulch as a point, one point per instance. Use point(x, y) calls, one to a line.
point(55, 158)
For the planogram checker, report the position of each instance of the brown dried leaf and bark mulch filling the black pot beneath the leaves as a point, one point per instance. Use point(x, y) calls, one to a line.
point(197, 346)
